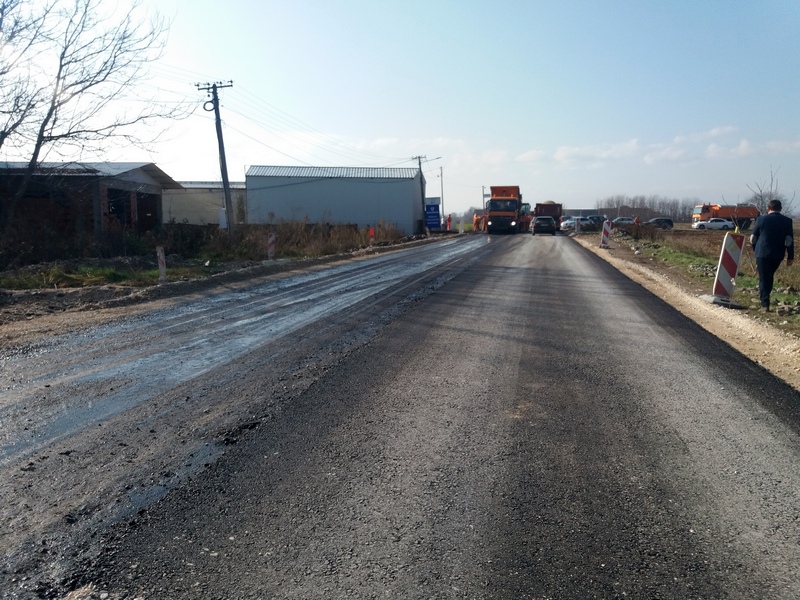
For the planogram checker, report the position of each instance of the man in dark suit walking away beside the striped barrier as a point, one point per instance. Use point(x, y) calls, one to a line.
point(772, 238)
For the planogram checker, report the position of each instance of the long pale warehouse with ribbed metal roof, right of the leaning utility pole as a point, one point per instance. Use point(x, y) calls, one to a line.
point(337, 195)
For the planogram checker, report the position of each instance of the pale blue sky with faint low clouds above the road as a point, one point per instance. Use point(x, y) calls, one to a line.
point(575, 101)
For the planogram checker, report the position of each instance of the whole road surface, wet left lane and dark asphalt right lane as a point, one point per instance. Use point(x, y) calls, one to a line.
point(491, 417)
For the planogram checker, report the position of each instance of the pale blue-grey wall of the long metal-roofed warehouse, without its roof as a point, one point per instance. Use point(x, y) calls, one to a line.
point(360, 201)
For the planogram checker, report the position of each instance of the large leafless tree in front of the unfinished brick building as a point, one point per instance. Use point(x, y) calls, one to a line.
point(72, 78)
